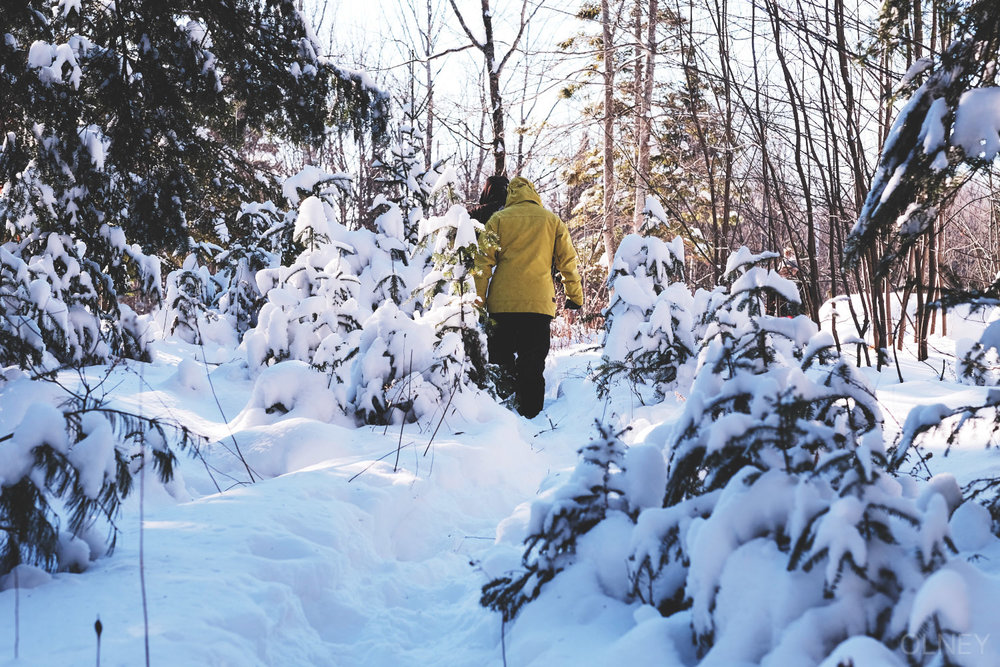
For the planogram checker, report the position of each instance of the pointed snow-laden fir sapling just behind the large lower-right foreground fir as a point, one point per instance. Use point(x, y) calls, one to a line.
point(745, 372)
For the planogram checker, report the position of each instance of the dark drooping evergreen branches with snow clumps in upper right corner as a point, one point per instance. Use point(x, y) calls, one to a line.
point(949, 126)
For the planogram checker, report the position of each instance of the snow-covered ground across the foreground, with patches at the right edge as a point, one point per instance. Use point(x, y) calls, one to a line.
point(335, 558)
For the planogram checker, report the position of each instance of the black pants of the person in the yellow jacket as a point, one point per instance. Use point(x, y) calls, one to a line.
point(518, 344)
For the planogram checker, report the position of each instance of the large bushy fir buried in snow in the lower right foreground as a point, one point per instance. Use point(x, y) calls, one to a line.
point(802, 469)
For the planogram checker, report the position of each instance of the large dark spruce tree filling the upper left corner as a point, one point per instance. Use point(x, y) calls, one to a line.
point(124, 121)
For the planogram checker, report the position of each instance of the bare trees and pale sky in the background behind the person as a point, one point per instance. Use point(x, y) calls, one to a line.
point(756, 123)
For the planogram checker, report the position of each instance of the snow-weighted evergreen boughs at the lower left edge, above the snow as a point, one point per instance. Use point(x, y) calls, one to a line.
point(75, 461)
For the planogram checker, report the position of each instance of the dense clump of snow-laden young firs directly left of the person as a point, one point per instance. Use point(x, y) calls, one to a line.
point(353, 306)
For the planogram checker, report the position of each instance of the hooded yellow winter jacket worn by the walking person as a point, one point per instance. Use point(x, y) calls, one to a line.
point(516, 250)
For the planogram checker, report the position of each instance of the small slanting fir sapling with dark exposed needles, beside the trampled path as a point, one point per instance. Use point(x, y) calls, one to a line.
point(596, 489)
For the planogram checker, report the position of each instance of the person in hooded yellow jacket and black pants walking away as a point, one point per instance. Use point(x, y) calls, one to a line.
point(514, 279)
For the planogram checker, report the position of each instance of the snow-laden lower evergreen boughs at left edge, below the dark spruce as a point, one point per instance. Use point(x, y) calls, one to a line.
point(58, 298)
